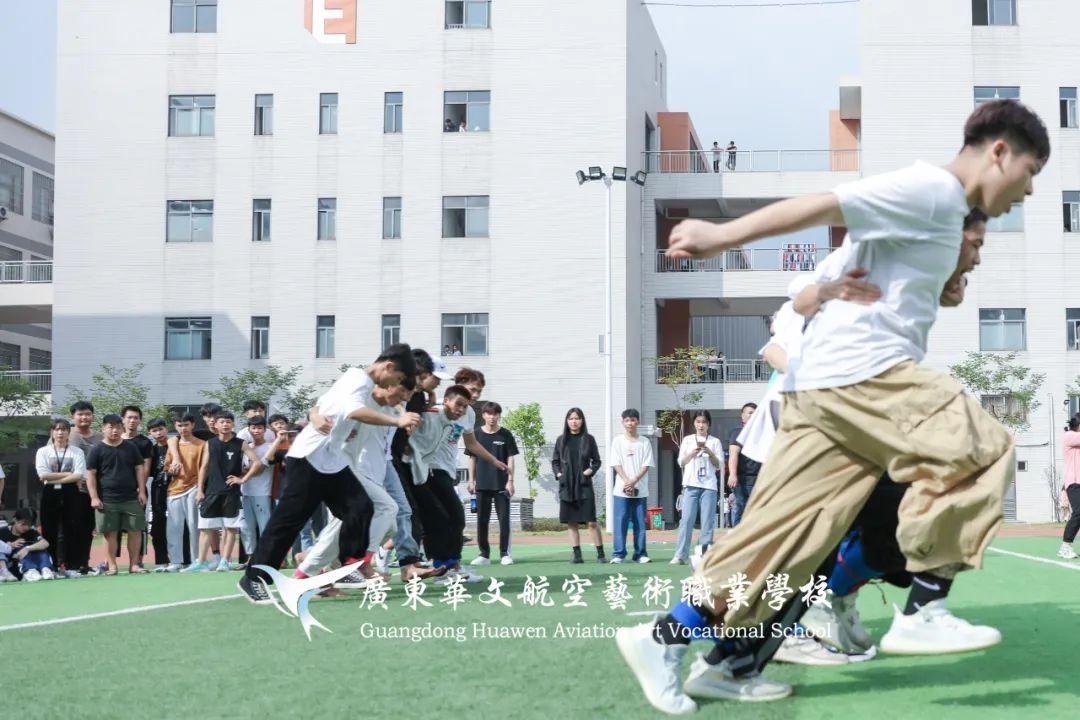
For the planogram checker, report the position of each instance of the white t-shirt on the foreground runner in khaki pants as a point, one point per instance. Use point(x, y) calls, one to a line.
point(907, 229)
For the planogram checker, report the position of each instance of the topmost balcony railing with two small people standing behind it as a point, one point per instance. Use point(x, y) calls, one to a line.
point(751, 161)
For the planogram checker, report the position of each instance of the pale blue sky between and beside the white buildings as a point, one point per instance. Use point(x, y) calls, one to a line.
point(765, 77)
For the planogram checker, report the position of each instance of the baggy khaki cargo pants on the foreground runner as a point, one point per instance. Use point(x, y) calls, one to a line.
point(832, 447)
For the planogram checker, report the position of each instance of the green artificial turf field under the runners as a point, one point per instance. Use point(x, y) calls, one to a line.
point(228, 659)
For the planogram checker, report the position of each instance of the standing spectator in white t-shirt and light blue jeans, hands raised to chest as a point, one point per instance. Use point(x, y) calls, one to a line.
point(700, 456)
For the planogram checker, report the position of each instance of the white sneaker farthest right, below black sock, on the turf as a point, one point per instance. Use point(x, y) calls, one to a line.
point(935, 631)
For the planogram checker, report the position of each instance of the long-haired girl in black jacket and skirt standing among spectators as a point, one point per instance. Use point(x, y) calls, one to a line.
point(575, 463)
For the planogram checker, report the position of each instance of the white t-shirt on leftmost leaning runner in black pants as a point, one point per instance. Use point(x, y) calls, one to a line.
point(326, 453)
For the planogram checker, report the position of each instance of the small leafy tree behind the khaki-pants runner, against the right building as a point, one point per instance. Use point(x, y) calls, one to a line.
point(1006, 388)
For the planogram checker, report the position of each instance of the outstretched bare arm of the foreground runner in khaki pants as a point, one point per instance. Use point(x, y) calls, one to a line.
point(700, 239)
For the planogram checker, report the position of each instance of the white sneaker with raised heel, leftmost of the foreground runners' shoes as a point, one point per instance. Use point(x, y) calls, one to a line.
point(657, 669)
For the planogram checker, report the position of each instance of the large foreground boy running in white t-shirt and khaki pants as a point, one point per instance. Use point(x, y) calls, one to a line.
point(858, 402)
